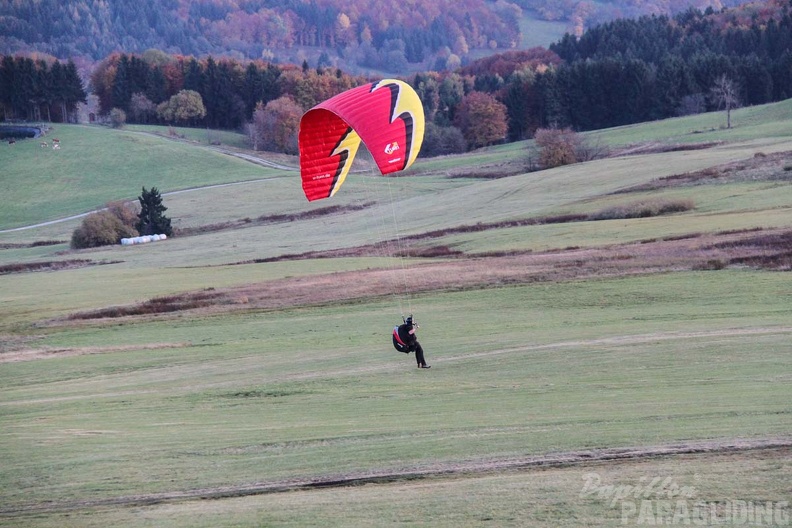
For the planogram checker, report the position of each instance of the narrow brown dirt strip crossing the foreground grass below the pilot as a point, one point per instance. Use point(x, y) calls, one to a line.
point(580, 458)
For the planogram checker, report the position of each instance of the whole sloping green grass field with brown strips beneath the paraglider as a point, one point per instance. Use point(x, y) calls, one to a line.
point(620, 350)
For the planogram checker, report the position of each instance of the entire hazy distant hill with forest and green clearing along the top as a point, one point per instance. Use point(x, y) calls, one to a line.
point(355, 35)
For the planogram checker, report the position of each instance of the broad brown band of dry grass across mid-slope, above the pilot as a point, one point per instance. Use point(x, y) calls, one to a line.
point(766, 249)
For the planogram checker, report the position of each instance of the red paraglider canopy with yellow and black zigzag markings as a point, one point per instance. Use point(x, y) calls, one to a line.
point(387, 116)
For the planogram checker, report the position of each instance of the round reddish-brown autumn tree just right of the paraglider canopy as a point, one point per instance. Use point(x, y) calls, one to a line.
point(482, 119)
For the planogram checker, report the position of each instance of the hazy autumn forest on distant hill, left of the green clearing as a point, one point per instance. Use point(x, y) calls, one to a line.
point(382, 35)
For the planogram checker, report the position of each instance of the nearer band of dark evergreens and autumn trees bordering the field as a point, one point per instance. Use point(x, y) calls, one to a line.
point(618, 73)
